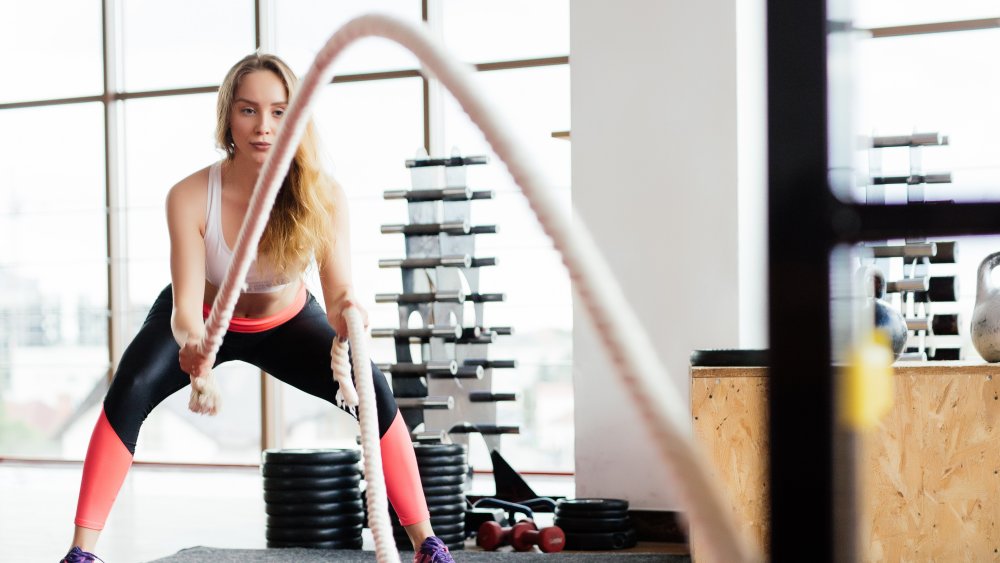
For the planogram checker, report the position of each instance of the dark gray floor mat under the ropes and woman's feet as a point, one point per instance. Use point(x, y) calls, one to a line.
point(301, 555)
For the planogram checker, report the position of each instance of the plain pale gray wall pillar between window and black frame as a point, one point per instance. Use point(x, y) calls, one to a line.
point(656, 177)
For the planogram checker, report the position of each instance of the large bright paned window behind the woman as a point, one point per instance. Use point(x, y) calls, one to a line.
point(82, 205)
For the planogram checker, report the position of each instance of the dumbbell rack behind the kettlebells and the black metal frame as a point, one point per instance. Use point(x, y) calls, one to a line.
point(914, 268)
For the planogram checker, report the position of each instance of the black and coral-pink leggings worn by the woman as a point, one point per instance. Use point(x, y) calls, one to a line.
point(296, 351)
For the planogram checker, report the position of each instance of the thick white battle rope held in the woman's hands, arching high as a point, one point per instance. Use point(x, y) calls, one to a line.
point(627, 344)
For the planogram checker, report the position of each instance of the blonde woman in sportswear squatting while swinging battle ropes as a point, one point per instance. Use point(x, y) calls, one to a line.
point(277, 325)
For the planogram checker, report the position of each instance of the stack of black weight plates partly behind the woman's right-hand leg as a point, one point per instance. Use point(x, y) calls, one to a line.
point(443, 469)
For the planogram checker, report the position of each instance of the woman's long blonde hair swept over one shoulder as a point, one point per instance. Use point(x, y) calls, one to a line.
point(298, 227)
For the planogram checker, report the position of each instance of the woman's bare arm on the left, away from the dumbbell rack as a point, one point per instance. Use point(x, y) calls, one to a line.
point(185, 214)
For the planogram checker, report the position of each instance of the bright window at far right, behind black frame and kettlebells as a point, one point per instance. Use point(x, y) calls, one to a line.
point(913, 76)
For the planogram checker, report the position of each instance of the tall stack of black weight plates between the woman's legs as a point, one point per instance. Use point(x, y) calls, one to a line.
point(312, 498)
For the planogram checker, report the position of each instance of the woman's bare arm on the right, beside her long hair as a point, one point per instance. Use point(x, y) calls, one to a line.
point(335, 267)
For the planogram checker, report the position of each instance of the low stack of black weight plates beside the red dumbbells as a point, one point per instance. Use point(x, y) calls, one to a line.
point(595, 524)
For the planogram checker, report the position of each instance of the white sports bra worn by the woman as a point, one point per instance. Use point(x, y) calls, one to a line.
point(218, 255)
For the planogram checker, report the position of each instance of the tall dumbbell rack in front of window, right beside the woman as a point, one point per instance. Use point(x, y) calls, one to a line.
point(449, 391)
